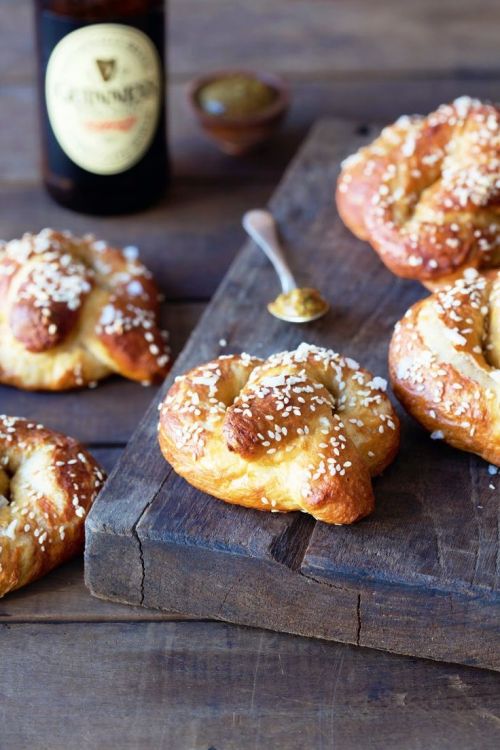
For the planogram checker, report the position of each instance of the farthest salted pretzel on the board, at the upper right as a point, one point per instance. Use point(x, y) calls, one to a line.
point(426, 193)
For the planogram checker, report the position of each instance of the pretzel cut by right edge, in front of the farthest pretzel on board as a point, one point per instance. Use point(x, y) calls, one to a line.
point(445, 363)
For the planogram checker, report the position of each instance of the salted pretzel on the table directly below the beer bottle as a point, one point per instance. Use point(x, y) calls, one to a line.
point(75, 310)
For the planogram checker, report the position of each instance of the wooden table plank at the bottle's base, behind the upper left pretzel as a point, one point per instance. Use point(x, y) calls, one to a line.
point(187, 241)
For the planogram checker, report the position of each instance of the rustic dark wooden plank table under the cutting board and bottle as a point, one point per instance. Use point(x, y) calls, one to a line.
point(79, 673)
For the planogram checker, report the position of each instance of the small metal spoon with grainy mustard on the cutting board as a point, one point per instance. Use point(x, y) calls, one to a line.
point(295, 304)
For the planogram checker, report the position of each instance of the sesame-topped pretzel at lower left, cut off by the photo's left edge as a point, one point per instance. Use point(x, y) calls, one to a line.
point(47, 484)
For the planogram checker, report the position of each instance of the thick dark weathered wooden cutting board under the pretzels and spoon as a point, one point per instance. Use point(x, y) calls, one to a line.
point(418, 577)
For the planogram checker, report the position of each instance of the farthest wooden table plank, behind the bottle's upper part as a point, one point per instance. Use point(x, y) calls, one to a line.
point(305, 36)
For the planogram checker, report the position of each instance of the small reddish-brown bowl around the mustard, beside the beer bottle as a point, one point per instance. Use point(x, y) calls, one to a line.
point(238, 135)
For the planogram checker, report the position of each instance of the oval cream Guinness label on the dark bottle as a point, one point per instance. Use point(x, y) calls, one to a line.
point(103, 93)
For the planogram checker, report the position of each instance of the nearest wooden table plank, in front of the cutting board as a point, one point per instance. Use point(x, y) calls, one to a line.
point(180, 686)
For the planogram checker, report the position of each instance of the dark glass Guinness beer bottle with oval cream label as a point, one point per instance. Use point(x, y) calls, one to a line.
point(102, 97)
